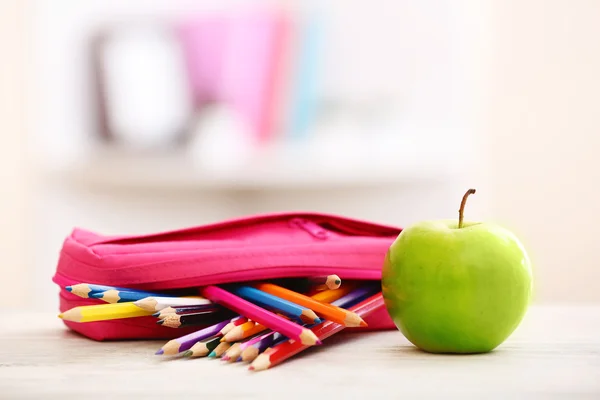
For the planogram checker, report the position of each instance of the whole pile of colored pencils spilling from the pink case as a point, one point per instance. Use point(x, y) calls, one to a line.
point(262, 323)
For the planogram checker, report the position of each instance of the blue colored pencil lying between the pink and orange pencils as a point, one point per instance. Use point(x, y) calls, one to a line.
point(274, 303)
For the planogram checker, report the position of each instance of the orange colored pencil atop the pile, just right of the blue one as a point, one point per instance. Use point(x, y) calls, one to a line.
point(324, 310)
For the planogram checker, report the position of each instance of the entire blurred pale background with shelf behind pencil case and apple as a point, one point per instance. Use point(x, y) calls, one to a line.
point(139, 116)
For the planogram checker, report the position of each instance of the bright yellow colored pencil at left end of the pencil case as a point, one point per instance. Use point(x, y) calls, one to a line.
point(103, 312)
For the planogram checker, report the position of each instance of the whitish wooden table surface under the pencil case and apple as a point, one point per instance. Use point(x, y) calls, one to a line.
point(555, 353)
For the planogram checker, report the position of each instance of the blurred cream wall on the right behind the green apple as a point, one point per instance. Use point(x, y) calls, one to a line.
point(543, 120)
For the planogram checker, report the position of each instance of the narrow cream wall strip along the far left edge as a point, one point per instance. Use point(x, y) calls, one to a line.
point(14, 169)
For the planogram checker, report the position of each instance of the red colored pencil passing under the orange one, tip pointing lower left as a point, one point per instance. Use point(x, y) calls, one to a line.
point(276, 355)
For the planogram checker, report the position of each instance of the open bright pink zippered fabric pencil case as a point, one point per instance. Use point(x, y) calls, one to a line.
point(267, 246)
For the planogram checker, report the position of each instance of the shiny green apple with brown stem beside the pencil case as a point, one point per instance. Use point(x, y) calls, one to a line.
point(456, 287)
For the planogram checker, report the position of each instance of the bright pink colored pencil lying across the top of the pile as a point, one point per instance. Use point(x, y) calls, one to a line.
point(260, 315)
